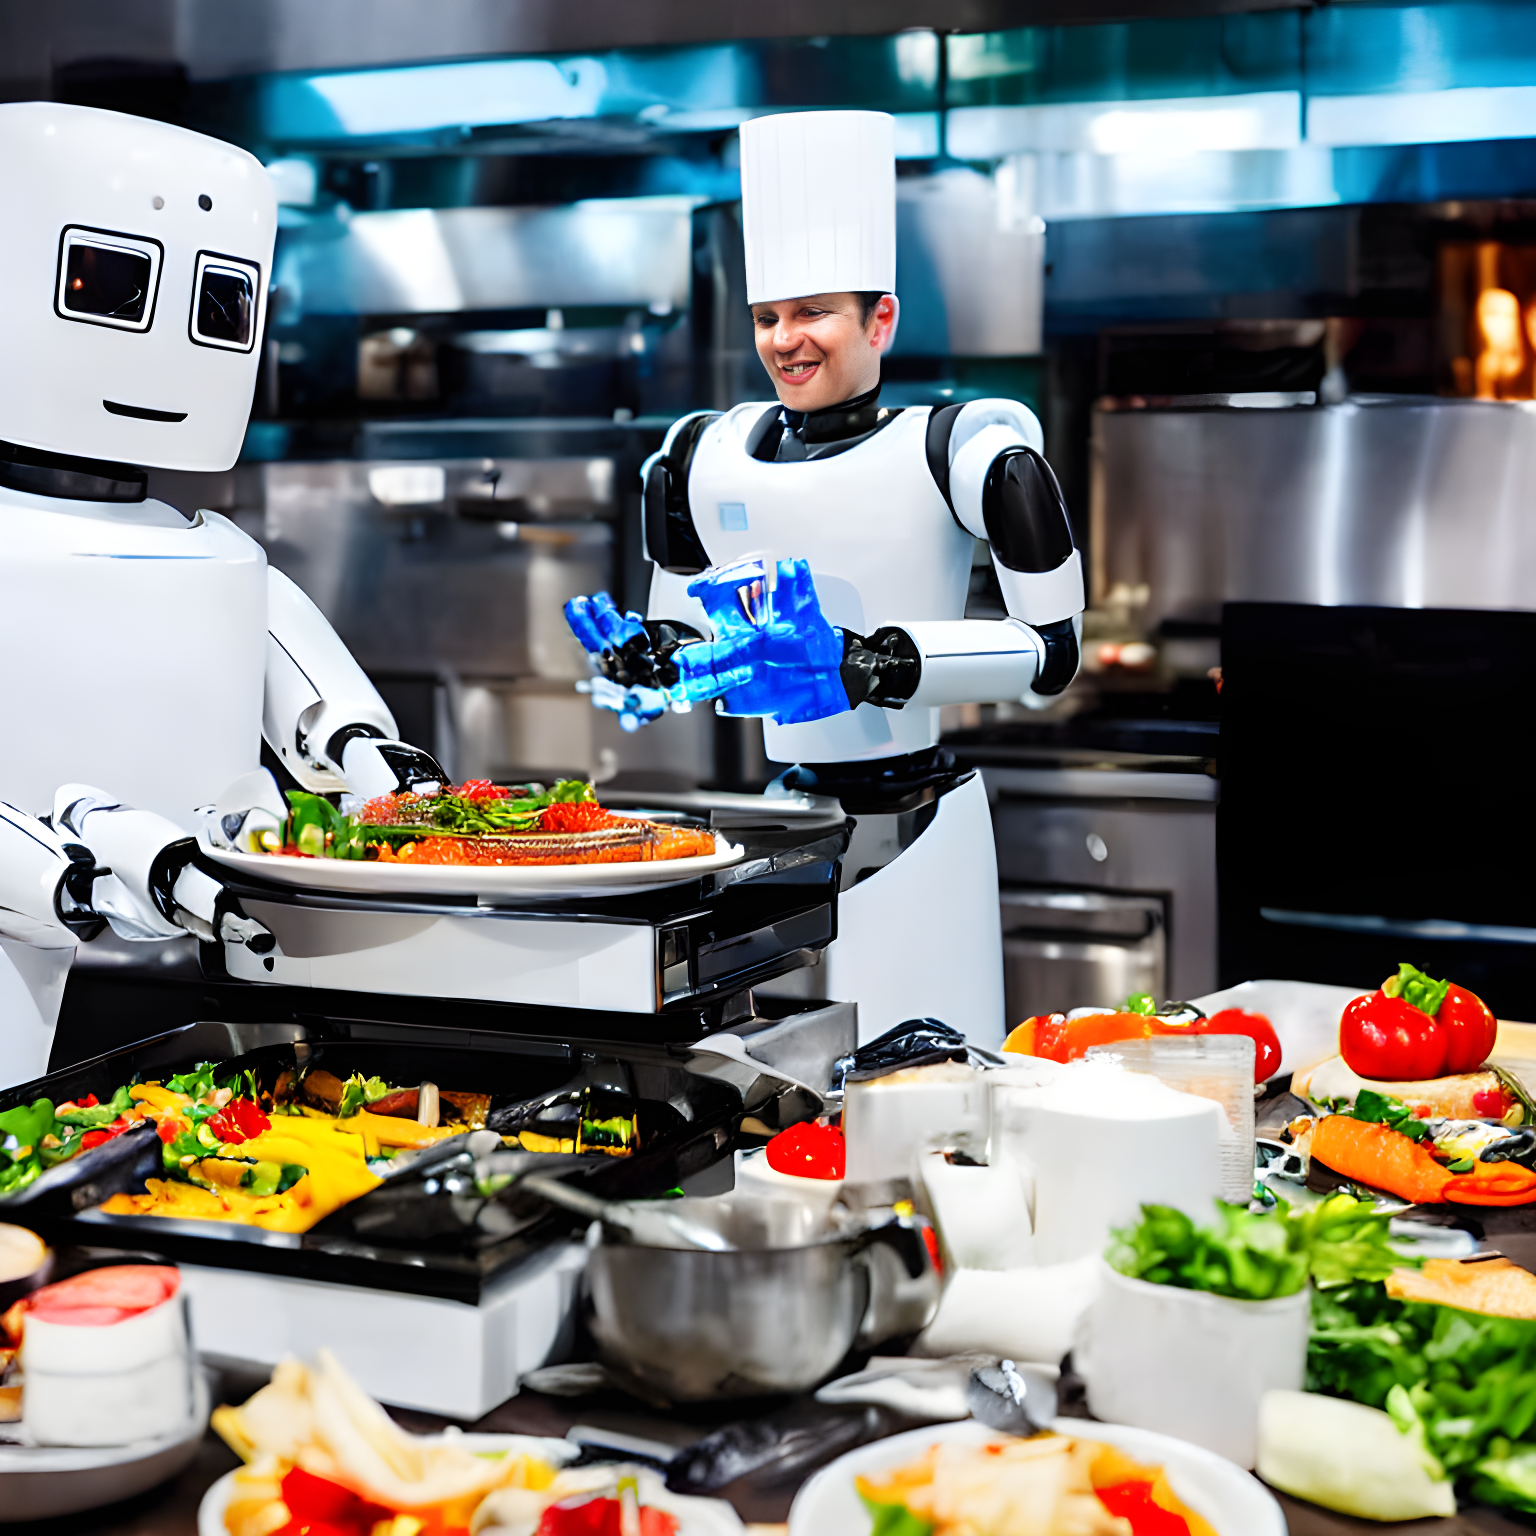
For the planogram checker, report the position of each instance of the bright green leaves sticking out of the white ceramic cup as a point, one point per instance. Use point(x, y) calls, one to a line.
point(1259, 1256)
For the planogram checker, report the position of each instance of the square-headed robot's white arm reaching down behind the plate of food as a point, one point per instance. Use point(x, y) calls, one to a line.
point(322, 715)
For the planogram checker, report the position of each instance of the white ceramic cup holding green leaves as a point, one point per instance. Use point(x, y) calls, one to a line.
point(1187, 1363)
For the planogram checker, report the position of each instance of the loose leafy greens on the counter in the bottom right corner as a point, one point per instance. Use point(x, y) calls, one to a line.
point(1469, 1380)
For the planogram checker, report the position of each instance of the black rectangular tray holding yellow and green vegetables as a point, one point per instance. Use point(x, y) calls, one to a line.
point(426, 1231)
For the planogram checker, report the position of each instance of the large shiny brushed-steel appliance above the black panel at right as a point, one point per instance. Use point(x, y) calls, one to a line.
point(1399, 502)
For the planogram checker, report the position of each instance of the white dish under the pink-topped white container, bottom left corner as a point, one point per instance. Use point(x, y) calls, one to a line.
point(44, 1481)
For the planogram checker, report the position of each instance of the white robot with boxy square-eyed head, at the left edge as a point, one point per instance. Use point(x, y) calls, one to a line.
point(147, 654)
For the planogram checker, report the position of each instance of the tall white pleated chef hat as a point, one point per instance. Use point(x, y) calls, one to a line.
point(819, 204)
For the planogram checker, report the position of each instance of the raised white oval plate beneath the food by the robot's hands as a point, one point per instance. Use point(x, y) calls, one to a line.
point(488, 882)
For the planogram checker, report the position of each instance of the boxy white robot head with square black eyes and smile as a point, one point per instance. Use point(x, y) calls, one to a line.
point(134, 266)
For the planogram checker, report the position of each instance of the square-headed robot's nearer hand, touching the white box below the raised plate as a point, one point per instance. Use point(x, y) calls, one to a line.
point(134, 870)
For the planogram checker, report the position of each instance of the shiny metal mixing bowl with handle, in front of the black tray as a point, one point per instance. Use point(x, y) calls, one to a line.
point(775, 1316)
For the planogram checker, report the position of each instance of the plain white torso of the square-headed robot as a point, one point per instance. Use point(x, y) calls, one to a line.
point(134, 660)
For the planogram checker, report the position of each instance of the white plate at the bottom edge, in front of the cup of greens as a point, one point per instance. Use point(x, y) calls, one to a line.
point(1231, 1500)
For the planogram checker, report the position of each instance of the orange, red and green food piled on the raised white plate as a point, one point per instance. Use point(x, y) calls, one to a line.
point(480, 824)
